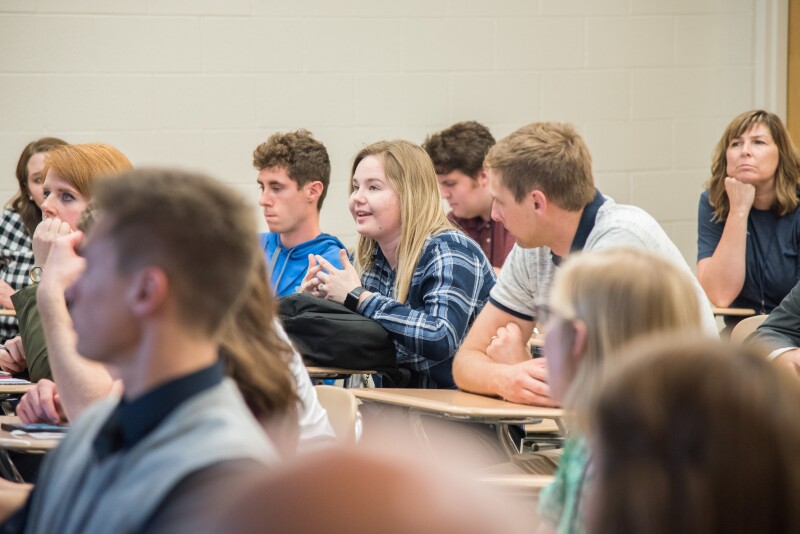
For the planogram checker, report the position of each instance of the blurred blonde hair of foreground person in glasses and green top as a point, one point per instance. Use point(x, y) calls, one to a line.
point(620, 294)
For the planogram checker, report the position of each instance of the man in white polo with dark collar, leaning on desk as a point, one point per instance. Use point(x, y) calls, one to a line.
point(541, 179)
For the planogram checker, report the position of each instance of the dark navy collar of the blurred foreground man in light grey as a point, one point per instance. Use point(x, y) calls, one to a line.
point(132, 420)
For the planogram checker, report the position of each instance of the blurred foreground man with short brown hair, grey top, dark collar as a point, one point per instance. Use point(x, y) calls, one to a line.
point(134, 304)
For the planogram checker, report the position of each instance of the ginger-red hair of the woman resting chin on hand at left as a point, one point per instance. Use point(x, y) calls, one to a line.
point(81, 165)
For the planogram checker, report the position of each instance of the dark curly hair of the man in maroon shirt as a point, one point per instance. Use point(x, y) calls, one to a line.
point(460, 147)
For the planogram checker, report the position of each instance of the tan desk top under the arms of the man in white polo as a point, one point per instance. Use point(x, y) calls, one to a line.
point(458, 404)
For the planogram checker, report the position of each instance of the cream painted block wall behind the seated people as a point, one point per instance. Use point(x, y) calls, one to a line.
point(199, 83)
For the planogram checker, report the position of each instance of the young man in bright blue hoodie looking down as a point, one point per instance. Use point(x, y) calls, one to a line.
point(293, 174)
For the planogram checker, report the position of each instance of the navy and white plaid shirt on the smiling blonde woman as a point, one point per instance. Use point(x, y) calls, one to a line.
point(450, 286)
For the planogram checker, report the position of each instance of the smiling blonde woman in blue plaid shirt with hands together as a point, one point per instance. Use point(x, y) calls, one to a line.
point(424, 281)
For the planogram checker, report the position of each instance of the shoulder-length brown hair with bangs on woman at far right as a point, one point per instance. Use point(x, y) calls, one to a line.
point(787, 175)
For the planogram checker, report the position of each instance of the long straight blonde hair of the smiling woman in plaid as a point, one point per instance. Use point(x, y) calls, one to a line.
point(410, 173)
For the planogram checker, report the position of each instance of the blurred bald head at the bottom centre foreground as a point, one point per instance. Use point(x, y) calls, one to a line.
point(357, 491)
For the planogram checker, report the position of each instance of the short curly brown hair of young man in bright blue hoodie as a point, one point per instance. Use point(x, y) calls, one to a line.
point(304, 158)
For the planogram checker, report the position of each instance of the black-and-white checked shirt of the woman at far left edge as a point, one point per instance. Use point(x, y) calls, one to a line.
point(16, 255)
